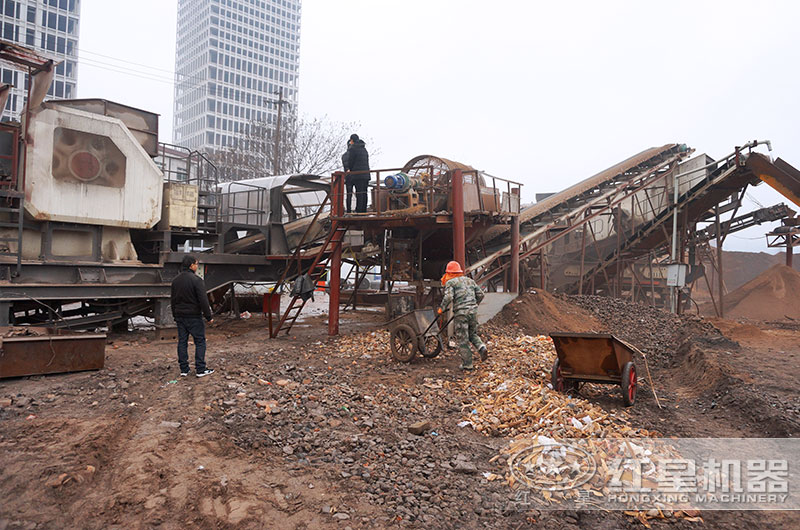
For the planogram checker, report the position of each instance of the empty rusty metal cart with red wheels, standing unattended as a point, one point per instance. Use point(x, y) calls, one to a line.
point(594, 358)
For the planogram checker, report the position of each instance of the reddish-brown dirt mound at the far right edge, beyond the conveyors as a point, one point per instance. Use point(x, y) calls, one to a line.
point(770, 296)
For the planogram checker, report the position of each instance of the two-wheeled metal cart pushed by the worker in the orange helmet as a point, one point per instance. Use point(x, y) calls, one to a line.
point(414, 332)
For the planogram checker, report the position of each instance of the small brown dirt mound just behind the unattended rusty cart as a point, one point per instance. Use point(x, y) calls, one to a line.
point(538, 312)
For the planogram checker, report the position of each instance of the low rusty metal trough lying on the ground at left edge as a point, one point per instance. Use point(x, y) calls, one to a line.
point(37, 351)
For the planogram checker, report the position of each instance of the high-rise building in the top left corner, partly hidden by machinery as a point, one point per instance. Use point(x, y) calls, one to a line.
point(50, 27)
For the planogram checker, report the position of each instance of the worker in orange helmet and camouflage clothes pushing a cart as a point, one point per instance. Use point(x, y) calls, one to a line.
point(465, 295)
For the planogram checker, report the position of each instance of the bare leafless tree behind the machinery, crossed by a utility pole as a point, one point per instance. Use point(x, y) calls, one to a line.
point(307, 145)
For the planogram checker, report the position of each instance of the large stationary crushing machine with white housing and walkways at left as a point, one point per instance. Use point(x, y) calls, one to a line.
point(96, 219)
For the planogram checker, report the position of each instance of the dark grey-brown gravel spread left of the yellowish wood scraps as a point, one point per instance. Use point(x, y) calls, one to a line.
point(358, 431)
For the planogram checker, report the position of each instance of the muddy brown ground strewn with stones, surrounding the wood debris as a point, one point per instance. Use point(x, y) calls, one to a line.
point(300, 432)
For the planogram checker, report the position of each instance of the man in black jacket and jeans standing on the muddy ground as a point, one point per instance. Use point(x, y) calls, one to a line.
point(189, 306)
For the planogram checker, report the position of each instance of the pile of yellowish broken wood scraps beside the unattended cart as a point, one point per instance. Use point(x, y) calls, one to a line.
point(513, 397)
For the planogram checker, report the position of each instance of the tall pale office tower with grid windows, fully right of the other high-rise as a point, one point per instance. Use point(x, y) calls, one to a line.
point(232, 57)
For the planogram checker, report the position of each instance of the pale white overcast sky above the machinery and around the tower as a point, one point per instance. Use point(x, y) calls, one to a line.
point(545, 93)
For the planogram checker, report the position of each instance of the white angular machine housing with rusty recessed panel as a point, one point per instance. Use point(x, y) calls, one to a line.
point(88, 168)
